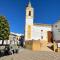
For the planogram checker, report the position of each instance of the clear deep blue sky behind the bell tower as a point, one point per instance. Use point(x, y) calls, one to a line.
point(46, 11)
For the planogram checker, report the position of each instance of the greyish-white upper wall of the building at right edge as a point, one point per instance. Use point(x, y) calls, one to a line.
point(56, 33)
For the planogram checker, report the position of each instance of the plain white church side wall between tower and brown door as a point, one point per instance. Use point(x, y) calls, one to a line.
point(36, 32)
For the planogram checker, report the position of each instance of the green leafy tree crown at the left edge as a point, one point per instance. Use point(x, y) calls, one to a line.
point(4, 28)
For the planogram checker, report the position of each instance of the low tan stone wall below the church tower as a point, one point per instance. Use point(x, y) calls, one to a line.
point(35, 45)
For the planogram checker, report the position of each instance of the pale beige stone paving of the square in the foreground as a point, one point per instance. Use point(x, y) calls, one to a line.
point(25, 54)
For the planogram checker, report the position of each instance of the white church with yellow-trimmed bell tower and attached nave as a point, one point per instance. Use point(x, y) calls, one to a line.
point(35, 31)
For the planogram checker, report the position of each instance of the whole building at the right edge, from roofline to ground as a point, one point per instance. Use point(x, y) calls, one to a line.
point(56, 36)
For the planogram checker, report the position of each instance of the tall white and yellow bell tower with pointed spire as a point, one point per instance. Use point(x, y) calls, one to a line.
point(29, 22)
